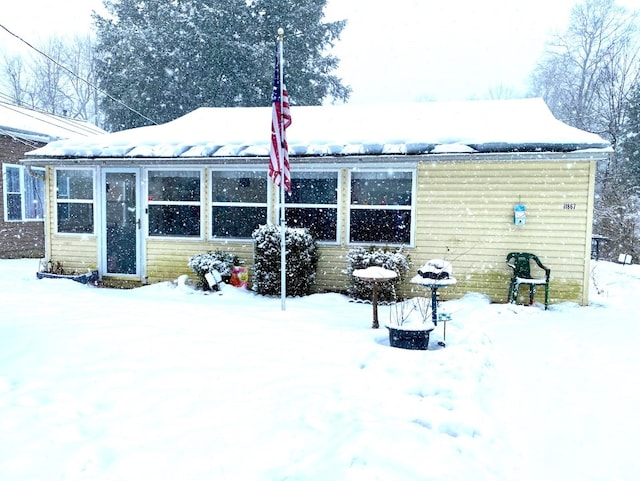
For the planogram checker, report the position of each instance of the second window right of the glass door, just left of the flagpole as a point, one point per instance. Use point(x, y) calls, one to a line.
point(238, 204)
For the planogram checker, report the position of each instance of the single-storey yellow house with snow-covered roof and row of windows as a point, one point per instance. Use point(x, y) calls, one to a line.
point(446, 180)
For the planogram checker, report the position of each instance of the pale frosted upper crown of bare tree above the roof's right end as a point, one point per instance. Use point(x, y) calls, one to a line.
point(587, 72)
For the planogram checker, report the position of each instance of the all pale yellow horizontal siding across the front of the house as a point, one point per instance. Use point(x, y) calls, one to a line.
point(464, 213)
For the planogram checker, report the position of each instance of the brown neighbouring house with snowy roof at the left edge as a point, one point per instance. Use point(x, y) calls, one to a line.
point(21, 189)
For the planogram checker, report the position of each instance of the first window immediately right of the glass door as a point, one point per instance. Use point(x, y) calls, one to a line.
point(174, 203)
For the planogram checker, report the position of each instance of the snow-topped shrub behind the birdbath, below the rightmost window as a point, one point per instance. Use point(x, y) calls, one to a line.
point(362, 257)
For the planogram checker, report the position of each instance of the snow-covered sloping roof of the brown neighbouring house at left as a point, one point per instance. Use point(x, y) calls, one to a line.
point(42, 127)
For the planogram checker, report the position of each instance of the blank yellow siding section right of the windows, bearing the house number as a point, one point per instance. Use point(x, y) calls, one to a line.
point(466, 217)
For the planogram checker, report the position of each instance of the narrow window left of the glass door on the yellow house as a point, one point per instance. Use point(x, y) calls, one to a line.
point(74, 201)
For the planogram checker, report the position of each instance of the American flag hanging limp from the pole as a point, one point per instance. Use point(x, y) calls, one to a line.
point(280, 120)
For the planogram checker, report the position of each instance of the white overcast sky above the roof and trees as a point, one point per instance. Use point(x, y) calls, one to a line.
point(412, 50)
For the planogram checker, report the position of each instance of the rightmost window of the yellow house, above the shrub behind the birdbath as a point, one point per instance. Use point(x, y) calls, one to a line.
point(381, 205)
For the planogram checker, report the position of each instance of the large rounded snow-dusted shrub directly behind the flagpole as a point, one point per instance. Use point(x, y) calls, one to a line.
point(301, 258)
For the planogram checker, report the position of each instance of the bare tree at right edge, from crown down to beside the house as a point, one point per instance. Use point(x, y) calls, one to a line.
point(588, 76)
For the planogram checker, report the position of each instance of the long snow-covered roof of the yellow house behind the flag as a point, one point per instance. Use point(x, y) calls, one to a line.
point(524, 125)
